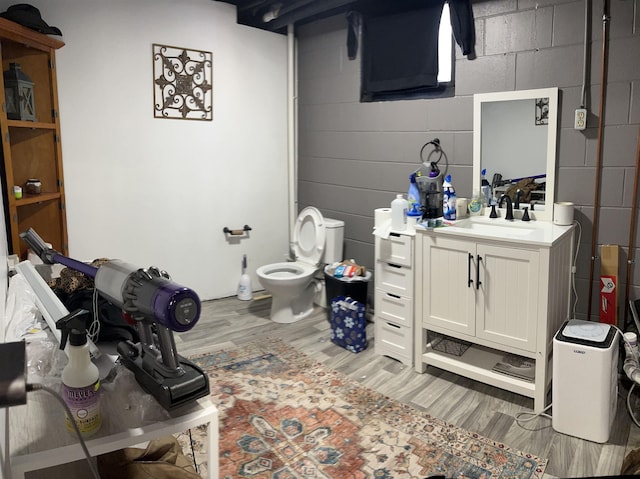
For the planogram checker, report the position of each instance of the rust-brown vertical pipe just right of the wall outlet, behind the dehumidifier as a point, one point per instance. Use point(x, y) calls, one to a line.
point(596, 202)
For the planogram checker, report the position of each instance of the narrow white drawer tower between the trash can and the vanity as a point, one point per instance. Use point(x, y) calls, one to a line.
point(393, 303)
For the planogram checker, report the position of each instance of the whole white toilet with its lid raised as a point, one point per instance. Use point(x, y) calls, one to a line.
point(316, 241)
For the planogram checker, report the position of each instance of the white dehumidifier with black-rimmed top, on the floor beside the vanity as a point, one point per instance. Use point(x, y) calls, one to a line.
point(585, 379)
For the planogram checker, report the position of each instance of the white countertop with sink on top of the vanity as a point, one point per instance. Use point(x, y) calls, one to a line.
point(537, 232)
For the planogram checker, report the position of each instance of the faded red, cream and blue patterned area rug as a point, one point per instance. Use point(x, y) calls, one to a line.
point(284, 415)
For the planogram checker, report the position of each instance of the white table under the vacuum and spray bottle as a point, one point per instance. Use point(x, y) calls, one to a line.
point(38, 438)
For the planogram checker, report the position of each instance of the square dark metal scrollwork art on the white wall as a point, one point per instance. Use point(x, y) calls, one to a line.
point(182, 80)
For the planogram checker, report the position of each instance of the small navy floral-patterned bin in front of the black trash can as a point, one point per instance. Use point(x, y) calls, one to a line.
point(348, 324)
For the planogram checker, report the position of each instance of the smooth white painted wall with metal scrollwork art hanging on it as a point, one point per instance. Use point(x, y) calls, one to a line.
point(157, 191)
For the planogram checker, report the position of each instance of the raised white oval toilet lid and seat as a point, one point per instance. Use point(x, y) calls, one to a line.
point(309, 236)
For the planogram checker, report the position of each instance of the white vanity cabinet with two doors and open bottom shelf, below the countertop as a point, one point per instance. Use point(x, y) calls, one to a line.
point(501, 295)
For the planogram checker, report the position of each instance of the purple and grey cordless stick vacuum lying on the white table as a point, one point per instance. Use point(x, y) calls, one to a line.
point(158, 306)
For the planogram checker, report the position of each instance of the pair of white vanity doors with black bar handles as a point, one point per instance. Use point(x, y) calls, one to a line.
point(481, 290)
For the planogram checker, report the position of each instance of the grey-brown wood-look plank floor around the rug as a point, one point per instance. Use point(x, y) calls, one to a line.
point(229, 322)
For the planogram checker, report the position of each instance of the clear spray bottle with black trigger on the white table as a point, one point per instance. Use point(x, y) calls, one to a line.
point(80, 377)
